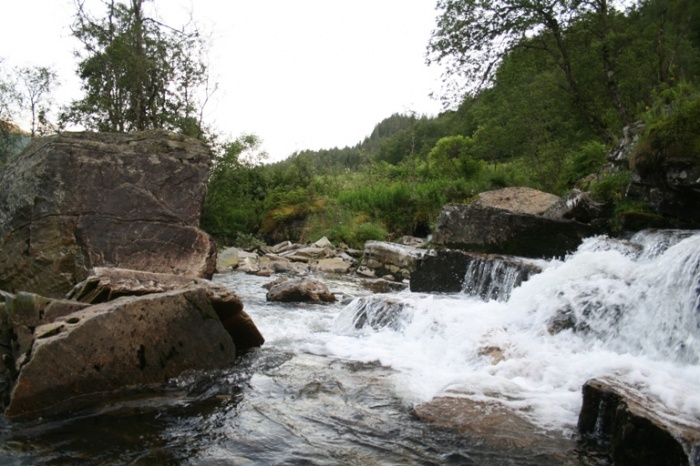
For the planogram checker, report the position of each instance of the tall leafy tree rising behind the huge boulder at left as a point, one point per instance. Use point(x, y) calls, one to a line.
point(137, 72)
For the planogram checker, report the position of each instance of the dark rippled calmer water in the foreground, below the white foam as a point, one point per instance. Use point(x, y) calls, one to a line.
point(278, 408)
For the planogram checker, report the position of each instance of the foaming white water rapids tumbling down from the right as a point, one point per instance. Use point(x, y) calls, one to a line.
point(634, 306)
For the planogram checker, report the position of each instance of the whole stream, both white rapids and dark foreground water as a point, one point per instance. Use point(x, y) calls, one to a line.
point(336, 384)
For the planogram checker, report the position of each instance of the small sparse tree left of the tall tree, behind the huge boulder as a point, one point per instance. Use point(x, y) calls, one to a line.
point(36, 86)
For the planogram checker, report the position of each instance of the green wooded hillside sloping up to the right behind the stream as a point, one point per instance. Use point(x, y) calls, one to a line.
point(539, 92)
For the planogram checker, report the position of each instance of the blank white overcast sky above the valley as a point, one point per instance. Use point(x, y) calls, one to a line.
point(301, 74)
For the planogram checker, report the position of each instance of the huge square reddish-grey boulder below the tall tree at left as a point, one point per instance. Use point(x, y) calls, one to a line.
point(74, 201)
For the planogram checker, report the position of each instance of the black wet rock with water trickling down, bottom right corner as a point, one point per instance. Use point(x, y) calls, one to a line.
point(634, 430)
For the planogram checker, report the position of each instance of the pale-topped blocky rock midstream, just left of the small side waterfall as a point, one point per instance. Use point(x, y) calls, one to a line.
point(382, 258)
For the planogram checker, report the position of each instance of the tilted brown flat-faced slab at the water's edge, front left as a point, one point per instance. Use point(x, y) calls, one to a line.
point(132, 341)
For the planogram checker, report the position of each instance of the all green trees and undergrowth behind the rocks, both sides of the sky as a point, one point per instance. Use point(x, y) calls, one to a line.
point(535, 94)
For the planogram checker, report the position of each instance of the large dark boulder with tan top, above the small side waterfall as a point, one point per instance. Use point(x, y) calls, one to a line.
point(515, 227)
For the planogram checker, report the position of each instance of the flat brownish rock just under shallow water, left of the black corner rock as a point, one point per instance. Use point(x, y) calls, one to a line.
point(492, 424)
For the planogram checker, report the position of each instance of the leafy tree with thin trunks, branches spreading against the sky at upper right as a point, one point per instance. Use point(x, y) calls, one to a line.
point(473, 36)
